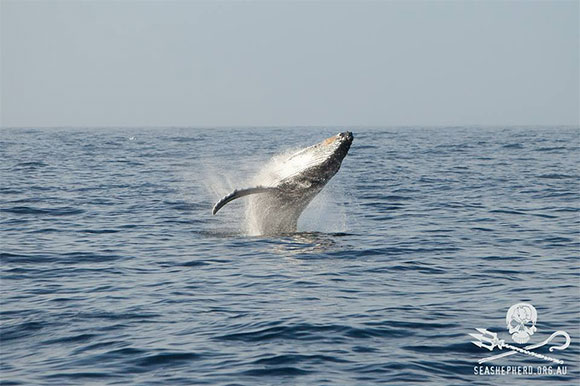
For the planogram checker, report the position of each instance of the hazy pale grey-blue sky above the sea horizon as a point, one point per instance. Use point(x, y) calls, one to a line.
point(191, 63)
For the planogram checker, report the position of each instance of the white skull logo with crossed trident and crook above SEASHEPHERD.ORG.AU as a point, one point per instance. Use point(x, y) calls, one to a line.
point(521, 321)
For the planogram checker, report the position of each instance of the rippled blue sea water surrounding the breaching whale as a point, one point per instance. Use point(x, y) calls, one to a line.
point(114, 271)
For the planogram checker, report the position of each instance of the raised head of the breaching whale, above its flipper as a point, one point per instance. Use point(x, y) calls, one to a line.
point(315, 165)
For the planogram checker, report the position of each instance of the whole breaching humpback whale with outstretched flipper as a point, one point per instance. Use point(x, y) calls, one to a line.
point(288, 184)
